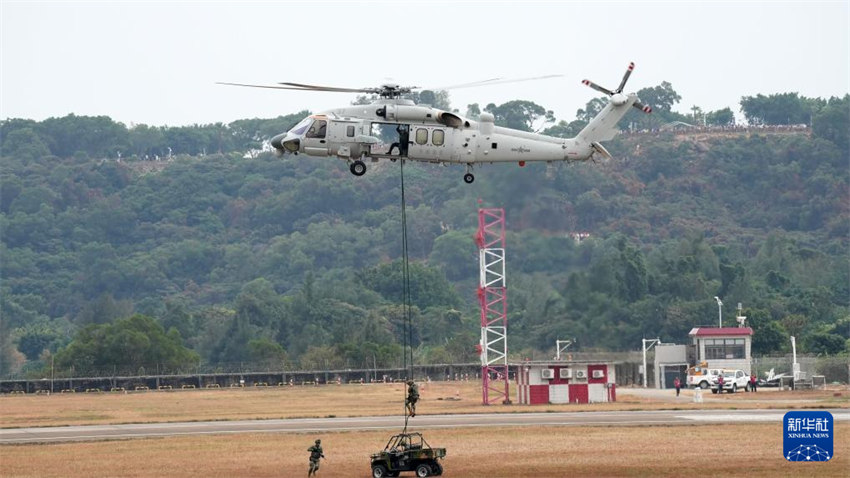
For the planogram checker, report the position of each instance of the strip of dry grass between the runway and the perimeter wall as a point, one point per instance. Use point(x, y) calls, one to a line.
point(348, 401)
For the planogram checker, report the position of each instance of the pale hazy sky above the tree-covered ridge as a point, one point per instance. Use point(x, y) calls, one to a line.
point(157, 62)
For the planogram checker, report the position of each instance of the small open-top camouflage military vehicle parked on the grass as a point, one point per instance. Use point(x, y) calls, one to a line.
point(407, 452)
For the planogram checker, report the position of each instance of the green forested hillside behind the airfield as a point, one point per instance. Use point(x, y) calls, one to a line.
point(250, 257)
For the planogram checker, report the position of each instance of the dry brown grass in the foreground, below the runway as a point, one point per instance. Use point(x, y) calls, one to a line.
point(753, 450)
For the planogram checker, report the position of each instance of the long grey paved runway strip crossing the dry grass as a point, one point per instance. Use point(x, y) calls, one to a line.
point(314, 425)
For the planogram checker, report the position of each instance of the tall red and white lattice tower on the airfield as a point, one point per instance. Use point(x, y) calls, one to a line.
point(494, 307)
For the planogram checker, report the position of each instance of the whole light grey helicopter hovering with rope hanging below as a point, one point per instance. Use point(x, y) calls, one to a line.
point(394, 127)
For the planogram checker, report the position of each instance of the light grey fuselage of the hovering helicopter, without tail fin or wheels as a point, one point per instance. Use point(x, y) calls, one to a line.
point(397, 128)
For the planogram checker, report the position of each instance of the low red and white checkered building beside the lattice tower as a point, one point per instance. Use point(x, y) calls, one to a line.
point(563, 382)
